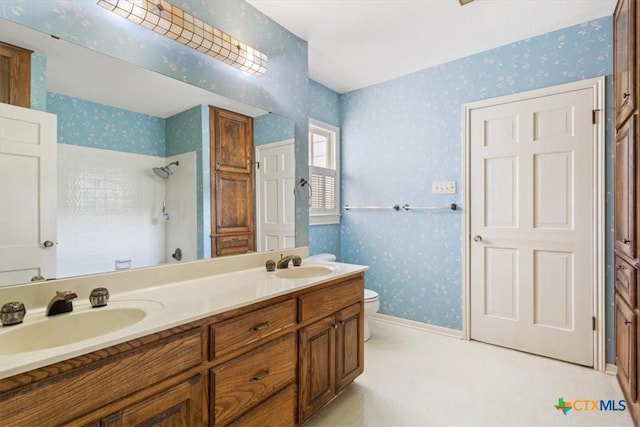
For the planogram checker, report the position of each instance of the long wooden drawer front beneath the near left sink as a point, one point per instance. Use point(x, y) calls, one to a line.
point(106, 382)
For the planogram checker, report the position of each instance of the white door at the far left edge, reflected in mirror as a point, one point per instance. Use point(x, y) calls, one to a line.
point(28, 202)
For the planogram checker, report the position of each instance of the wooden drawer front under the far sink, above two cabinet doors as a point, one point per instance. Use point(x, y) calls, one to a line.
point(329, 300)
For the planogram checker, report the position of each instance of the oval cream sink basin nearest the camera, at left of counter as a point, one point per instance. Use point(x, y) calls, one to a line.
point(63, 329)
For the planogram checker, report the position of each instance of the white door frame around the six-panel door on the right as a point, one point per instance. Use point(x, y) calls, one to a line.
point(598, 86)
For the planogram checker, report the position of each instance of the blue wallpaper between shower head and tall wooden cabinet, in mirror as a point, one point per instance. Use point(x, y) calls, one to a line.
point(189, 131)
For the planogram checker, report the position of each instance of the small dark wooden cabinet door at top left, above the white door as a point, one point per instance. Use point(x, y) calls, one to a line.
point(15, 75)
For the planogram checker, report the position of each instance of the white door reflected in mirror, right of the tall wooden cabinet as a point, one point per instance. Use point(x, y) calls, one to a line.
point(275, 205)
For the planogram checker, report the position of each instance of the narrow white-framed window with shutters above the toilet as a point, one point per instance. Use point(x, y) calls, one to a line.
point(324, 173)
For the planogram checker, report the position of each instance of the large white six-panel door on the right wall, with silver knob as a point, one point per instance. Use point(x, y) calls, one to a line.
point(532, 227)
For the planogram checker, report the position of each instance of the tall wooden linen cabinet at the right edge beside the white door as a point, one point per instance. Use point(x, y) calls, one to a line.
point(627, 216)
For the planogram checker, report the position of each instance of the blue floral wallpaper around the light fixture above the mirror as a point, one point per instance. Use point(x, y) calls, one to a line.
point(282, 90)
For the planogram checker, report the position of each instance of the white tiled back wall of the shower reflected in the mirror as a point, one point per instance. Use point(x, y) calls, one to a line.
point(104, 198)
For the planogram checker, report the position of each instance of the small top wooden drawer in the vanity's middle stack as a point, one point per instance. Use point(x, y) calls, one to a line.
point(251, 328)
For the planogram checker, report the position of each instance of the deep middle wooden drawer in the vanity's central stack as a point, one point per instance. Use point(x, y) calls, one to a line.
point(246, 381)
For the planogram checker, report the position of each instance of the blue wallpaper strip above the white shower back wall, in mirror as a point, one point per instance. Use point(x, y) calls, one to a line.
point(94, 125)
